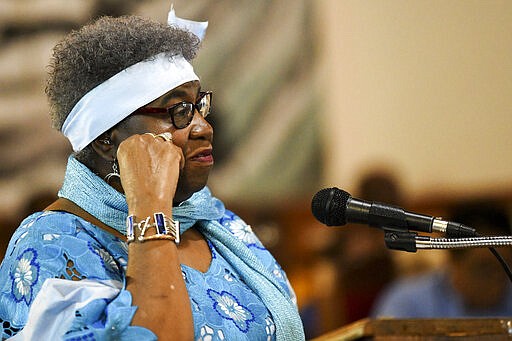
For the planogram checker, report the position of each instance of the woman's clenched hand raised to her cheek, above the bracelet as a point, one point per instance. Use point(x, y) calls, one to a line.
point(150, 168)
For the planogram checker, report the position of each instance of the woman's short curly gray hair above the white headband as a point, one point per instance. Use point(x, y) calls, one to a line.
point(89, 56)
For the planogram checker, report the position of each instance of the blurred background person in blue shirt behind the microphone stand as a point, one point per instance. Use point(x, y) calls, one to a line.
point(471, 284)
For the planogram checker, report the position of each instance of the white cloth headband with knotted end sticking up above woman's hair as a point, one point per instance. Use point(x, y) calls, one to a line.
point(116, 98)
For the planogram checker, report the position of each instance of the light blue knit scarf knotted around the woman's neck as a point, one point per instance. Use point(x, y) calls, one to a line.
point(95, 196)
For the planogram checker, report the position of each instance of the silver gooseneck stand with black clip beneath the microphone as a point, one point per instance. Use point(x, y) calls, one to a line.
point(411, 242)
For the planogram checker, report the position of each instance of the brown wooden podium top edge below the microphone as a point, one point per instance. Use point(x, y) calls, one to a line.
point(423, 329)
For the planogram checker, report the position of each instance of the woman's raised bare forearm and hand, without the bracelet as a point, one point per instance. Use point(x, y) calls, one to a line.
point(150, 167)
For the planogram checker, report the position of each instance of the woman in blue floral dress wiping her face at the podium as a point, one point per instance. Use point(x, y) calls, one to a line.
point(136, 247)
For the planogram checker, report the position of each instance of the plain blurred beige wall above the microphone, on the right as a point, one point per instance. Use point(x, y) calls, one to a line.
point(425, 86)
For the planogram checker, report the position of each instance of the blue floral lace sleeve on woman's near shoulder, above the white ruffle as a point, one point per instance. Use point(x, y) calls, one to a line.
point(52, 245)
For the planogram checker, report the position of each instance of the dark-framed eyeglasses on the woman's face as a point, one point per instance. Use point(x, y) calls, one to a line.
point(182, 113)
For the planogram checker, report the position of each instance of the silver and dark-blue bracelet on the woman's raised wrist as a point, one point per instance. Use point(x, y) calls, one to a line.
point(165, 228)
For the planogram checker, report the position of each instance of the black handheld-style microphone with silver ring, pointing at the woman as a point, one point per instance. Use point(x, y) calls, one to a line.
point(335, 207)
